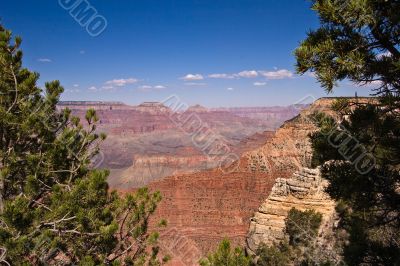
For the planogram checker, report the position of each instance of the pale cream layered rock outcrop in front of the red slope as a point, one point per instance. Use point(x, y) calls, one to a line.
point(305, 190)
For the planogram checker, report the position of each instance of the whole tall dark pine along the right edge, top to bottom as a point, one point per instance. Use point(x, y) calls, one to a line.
point(359, 40)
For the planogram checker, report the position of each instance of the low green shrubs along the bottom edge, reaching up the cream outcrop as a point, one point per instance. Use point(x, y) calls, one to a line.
point(301, 229)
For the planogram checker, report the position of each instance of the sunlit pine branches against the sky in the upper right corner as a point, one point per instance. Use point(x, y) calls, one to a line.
point(358, 40)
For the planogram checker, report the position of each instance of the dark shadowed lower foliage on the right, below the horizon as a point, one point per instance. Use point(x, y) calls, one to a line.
point(369, 202)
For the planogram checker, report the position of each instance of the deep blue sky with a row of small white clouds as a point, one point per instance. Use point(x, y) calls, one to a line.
point(214, 53)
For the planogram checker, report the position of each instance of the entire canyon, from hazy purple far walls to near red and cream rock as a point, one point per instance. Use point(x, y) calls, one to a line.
point(204, 205)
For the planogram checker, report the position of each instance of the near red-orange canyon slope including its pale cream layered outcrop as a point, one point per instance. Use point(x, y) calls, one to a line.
point(204, 208)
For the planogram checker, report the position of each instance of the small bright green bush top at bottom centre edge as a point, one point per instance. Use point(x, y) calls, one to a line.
point(226, 256)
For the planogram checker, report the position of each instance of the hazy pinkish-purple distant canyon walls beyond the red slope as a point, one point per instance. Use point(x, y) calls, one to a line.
point(145, 144)
